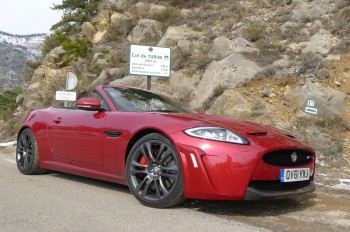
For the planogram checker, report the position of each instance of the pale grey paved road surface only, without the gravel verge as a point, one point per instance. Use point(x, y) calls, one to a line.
point(62, 202)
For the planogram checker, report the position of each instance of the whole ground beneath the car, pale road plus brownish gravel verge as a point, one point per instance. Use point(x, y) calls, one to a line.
point(62, 202)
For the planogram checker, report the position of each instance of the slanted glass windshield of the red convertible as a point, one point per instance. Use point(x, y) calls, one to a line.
point(126, 99)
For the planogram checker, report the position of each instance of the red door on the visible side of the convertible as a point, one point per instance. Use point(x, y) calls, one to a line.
point(76, 135)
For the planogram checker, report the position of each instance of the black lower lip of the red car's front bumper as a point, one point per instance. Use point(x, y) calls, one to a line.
point(259, 194)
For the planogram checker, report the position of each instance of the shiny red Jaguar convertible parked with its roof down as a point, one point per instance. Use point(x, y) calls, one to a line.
point(163, 151)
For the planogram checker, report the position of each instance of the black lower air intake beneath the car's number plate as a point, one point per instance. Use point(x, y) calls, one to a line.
point(276, 185)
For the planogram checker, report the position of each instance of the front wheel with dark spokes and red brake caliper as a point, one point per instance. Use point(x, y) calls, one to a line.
point(154, 172)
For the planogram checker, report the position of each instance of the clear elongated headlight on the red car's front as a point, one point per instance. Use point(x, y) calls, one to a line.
point(216, 133)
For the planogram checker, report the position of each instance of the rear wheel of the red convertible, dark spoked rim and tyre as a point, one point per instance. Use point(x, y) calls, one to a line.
point(27, 155)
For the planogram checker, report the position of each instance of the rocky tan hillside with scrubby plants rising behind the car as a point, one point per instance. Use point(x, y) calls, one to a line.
point(282, 63)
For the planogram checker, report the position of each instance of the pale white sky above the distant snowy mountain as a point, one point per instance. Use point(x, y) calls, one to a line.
point(23, 17)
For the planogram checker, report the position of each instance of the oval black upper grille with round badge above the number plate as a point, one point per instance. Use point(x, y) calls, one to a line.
point(289, 157)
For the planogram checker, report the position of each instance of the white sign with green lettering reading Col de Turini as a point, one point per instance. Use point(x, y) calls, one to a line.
point(149, 61)
